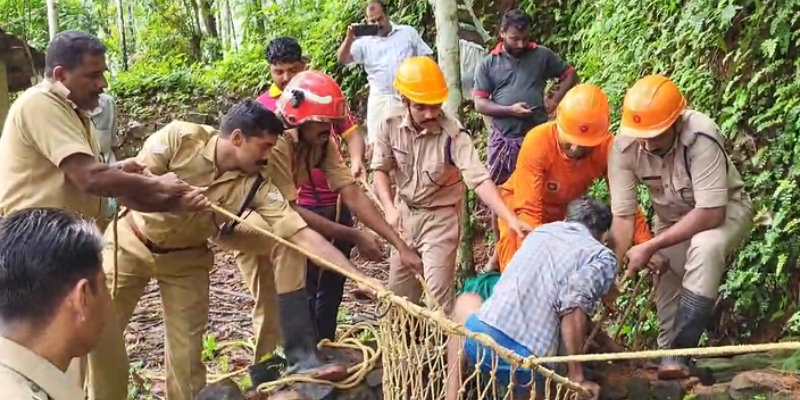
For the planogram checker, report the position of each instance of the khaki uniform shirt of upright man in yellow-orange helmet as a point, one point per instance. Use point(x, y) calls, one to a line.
point(423, 175)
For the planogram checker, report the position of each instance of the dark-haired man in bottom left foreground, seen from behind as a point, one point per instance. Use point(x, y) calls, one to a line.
point(53, 303)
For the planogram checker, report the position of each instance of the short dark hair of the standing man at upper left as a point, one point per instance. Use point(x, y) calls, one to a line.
point(68, 49)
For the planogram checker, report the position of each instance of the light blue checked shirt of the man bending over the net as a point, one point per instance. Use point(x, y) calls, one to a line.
point(559, 267)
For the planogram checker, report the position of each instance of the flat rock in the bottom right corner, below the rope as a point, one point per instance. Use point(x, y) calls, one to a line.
point(771, 384)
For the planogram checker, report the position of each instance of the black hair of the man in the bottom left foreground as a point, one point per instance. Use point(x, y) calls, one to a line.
point(44, 253)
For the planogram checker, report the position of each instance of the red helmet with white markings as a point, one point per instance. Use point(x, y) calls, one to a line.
point(311, 96)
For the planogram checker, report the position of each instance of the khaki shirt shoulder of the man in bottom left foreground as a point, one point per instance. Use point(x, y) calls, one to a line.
point(25, 375)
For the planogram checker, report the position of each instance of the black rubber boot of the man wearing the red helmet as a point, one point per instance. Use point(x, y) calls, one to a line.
point(300, 346)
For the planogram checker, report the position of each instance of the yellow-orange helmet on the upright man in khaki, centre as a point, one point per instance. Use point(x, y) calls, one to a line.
point(420, 80)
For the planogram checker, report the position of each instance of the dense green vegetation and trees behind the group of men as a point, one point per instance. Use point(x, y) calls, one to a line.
point(735, 60)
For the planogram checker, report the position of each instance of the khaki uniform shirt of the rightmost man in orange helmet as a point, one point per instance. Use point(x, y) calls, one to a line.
point(710, 180)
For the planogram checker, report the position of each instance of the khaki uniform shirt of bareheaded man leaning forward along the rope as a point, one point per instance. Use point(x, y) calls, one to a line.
point(189, 151)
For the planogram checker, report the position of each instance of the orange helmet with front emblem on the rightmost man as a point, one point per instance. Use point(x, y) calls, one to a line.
point(650, 107)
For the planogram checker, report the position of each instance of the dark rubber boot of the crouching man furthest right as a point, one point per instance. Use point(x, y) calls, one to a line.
point(690, 321)
